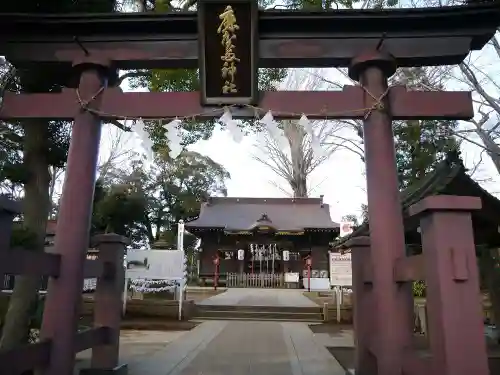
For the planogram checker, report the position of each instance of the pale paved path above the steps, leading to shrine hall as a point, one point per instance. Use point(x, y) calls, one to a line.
point(260, 297)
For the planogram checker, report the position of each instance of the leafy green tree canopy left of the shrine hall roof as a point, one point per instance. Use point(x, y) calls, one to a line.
point(146, 204)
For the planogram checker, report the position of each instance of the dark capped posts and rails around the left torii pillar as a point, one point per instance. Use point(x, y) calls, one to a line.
point(108, 269)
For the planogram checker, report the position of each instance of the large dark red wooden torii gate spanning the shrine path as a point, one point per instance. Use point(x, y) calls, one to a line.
point(371, 43)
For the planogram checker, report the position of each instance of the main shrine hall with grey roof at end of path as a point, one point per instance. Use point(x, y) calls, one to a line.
point(258, 242)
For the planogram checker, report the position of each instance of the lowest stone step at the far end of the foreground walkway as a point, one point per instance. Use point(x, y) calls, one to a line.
point(259, 315)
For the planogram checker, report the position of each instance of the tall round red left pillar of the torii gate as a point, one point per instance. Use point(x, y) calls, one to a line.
point(60, 317)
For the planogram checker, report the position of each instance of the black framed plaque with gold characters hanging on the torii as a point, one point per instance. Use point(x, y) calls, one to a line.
point(228, 51)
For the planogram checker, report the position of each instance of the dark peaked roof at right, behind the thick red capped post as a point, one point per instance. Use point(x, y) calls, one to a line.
point(448, 178)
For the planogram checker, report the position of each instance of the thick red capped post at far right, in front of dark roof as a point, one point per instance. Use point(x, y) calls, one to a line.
point(454, 302)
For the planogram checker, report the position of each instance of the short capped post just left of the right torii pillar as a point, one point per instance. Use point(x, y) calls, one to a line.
point(365, 363)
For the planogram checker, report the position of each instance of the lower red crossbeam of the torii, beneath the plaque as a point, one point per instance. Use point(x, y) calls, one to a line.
point(346, 104)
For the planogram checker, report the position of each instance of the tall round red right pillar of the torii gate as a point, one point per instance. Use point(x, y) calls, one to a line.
point(392, 302)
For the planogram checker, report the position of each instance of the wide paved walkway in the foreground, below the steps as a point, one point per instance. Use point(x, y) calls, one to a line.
point(222, 347)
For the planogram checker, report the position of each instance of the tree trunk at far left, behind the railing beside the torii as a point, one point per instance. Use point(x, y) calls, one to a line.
point(35, 208)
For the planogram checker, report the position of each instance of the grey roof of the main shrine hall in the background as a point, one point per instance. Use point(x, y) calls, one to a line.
point(282, 214)
